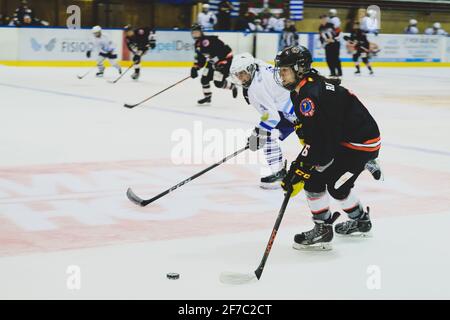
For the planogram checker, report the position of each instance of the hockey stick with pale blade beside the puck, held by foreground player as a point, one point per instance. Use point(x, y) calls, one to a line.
point(242, 278)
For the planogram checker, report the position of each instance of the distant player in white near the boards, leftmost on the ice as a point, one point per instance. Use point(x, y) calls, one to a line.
point(106, 50)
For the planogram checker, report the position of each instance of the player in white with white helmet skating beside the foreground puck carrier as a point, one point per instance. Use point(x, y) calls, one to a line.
point(276, 109)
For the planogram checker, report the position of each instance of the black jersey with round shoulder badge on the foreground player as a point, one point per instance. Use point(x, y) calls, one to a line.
point(332, 117)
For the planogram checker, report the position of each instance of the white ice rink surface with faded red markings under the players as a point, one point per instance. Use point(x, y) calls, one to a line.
point(69, 151)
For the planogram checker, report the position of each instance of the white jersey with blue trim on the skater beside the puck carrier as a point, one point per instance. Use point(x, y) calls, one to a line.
point(270, 100)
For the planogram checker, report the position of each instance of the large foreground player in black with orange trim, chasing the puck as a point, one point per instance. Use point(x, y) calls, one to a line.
point(339, 138)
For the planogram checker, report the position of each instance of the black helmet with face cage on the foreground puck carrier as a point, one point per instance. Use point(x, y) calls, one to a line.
point(298, 58)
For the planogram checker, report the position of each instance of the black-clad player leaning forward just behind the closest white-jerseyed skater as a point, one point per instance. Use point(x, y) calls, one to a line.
point(216, 57)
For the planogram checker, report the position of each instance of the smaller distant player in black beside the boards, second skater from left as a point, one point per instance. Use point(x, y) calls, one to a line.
point(139, 41)
